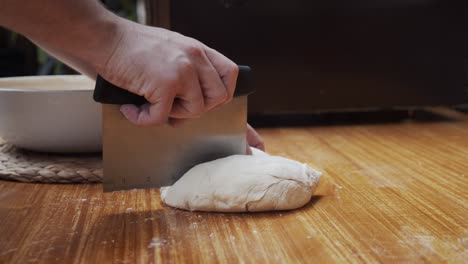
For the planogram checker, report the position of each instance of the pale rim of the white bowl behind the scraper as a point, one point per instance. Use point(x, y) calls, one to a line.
point(45, 77)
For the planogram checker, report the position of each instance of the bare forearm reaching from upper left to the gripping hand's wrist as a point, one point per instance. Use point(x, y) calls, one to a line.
point(74, 30)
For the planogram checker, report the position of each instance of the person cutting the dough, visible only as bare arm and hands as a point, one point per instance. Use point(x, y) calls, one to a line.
point(179, 76)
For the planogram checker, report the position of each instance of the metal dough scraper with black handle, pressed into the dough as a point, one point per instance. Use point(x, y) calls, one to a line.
point(136, 157)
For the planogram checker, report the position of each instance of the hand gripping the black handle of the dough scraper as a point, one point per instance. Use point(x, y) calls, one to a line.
point(180, 77)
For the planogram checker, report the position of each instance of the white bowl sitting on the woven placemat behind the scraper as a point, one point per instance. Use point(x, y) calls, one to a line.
point(50, 113)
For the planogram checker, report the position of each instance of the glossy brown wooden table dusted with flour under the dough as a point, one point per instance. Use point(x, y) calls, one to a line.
point(399, 194)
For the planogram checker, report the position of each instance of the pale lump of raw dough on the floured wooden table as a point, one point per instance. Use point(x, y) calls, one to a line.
point(243, 183)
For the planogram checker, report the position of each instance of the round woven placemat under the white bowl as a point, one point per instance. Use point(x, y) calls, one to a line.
point(27, 166)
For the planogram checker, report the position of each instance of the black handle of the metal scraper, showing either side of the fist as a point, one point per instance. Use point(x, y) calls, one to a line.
point(107, 93)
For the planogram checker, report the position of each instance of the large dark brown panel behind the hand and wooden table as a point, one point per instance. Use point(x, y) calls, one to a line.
point(311, 56)
